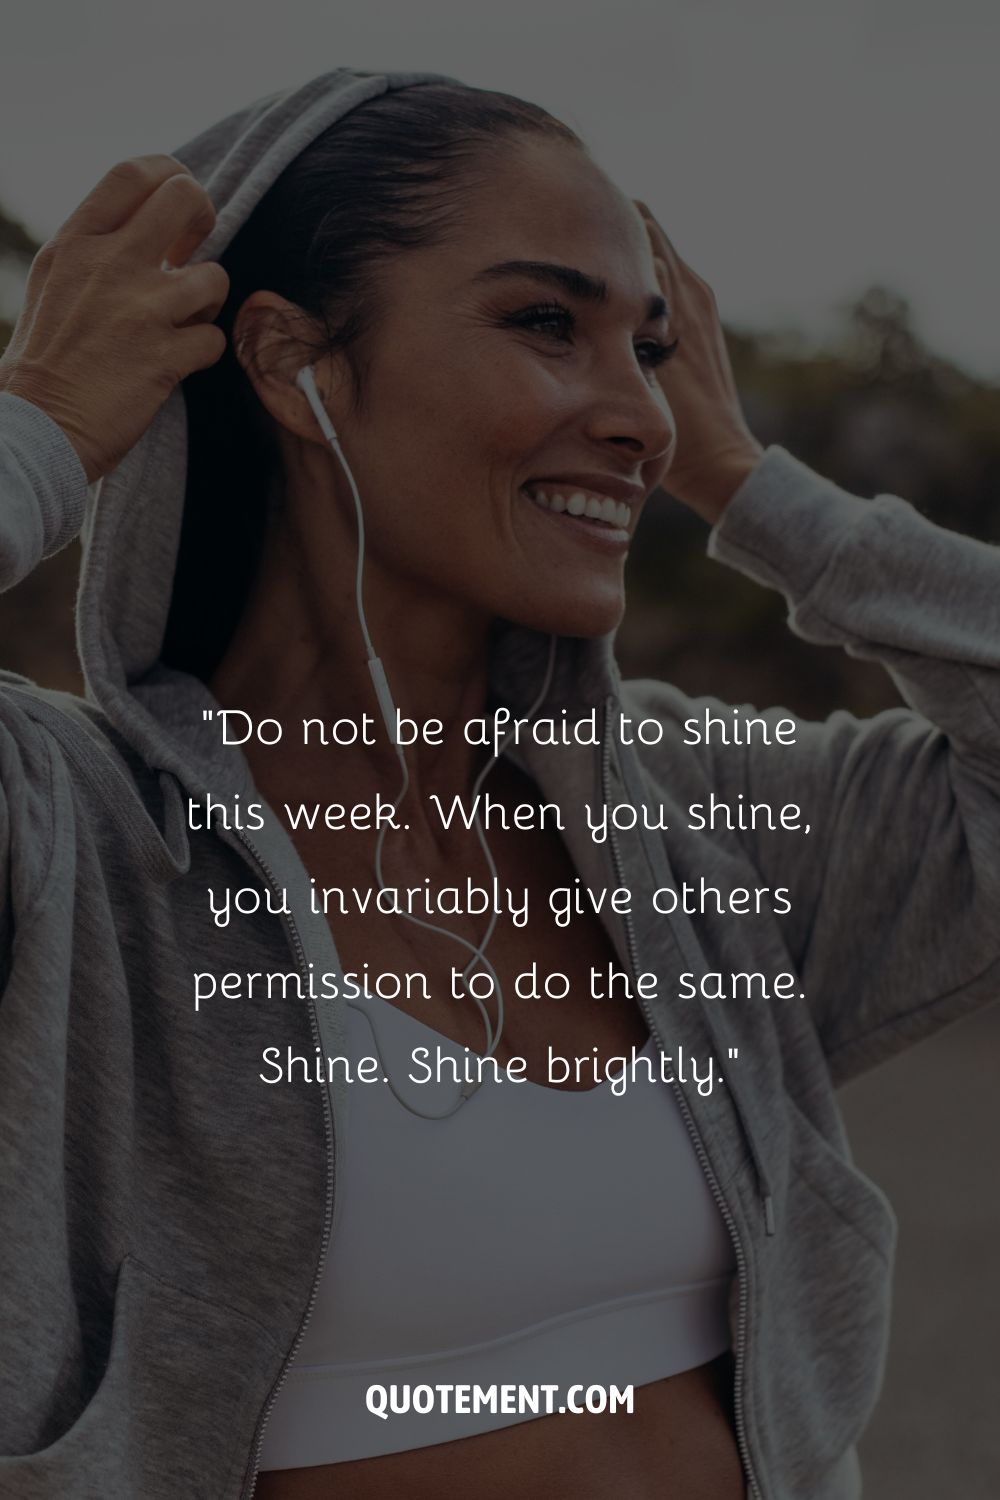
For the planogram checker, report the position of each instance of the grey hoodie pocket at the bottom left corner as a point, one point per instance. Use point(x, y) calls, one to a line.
point(176, 1408)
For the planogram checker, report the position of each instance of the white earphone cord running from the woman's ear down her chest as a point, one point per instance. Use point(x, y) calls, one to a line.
point(307, 383)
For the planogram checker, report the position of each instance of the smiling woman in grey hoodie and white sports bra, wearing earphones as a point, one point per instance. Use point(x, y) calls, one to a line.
point(443, 322)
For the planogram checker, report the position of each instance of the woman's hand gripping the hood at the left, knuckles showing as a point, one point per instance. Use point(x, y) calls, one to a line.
point(107, 329)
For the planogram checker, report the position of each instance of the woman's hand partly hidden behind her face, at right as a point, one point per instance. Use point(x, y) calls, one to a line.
point(716, 448)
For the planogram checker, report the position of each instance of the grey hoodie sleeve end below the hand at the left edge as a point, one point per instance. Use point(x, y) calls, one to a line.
point(43, 490)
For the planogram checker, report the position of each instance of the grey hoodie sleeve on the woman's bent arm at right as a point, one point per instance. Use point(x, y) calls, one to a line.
point(896, 925)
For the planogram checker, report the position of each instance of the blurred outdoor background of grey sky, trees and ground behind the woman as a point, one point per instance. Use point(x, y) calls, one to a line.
point(833, 175)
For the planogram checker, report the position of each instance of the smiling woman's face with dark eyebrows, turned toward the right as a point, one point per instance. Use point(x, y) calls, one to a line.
point(500, 401)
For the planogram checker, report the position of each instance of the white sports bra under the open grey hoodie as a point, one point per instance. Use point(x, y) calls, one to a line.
point(537, 1235)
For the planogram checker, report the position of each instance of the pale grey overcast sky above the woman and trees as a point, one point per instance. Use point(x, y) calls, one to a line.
point(795, 152)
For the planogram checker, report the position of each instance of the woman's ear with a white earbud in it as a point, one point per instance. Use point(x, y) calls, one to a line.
point(272, 340)
